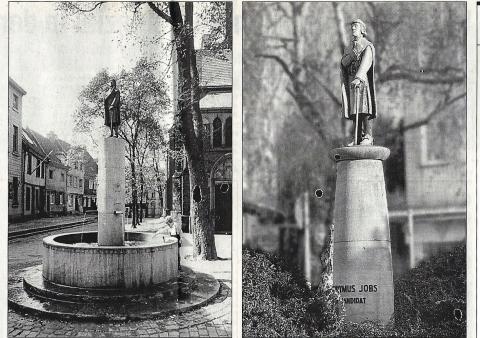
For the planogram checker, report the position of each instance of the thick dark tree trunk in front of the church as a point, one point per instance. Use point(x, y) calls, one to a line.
point(191, 129)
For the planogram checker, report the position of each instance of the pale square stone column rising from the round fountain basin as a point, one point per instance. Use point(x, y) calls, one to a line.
point(111, 192)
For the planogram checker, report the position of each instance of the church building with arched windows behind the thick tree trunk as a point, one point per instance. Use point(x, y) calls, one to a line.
point(215, 75)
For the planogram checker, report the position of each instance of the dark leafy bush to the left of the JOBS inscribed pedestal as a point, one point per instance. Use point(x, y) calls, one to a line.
point(278, 302)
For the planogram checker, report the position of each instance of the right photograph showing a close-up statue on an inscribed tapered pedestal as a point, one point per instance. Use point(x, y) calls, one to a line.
point(354, 169)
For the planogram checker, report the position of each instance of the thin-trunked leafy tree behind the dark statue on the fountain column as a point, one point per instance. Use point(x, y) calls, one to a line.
point(144, 102)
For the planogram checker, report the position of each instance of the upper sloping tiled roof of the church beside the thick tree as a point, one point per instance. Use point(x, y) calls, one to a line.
point(215, 67)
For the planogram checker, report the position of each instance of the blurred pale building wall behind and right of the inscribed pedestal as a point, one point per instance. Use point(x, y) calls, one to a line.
point(436, 184)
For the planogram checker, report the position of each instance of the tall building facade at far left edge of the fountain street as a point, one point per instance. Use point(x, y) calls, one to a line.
point(15, 132)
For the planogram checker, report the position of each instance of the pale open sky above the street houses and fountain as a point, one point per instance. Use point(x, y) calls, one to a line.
point(53, 57)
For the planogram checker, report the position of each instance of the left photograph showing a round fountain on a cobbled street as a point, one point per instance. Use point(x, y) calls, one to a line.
point(120, 169)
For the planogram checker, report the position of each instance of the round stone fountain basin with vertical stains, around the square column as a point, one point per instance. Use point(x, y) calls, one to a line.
point(75, 259)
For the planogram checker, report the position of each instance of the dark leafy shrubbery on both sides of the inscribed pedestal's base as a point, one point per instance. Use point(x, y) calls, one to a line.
point(430, 301)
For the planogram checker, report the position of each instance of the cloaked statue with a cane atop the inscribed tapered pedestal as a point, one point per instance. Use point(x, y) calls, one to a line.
point(358, 87)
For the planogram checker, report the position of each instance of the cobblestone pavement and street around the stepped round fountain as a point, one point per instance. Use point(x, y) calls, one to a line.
point(213, 320)
